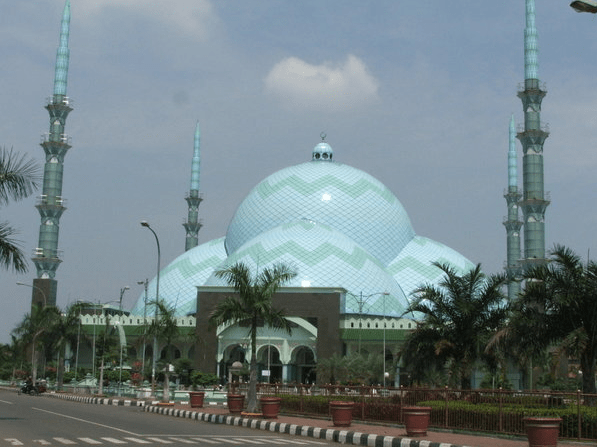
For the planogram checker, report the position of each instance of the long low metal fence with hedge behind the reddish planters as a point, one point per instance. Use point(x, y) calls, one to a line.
point(498, 411)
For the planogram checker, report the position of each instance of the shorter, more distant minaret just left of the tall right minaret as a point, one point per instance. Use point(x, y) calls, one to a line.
point(513, 223)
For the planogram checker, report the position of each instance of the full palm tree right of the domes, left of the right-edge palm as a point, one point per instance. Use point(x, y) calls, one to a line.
point(459, 316)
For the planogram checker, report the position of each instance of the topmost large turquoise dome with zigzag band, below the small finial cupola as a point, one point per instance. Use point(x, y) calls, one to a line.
point(345, 198)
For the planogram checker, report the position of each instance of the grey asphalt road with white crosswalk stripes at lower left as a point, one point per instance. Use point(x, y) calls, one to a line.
point(37, 420)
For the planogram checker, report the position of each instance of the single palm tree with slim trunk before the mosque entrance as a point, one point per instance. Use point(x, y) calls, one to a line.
point(253, 306)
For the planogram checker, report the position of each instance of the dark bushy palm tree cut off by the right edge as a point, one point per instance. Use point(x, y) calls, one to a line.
point(558, 309)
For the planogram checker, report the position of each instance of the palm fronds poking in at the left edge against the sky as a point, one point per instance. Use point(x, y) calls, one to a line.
point(19, 177)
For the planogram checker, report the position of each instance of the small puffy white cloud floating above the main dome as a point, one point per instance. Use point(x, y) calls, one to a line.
point(300, 84)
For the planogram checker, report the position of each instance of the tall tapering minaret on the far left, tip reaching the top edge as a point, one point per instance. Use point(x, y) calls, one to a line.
point(51, 204)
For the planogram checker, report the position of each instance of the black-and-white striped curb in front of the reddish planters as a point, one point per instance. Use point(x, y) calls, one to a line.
point(341, 436)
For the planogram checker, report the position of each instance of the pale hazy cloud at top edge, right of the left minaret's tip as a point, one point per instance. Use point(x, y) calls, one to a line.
point(191, 17)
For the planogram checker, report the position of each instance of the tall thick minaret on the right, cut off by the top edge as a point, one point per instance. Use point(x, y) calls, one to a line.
point(533, 136)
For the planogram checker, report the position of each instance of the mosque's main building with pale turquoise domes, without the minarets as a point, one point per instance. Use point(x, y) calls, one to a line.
point(357, 258)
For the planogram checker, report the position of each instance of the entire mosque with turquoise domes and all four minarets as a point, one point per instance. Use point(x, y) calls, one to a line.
point(357, 257)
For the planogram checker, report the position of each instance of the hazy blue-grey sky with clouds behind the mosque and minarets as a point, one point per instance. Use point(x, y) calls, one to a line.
point(418, 94)
